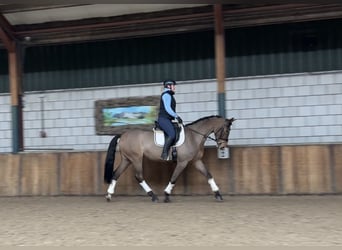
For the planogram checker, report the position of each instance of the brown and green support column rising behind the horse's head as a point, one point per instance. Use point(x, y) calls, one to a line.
point(220, 59)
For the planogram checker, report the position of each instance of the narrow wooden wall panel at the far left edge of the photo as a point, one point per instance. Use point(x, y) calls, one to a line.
point(9, 177)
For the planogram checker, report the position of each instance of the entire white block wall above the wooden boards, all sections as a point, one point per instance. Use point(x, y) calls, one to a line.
point(271, 110)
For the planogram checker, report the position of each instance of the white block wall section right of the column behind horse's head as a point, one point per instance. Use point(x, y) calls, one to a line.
point(288, 109)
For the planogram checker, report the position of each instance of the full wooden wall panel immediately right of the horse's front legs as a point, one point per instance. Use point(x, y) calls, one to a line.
point(256, 170)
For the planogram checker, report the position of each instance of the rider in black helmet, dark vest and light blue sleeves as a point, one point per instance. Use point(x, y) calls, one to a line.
point(167, 112)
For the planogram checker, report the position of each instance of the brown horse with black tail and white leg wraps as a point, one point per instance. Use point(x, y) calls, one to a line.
point(135, 144)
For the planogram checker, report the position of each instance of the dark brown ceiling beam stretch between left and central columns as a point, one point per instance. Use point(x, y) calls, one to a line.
point(143, 24)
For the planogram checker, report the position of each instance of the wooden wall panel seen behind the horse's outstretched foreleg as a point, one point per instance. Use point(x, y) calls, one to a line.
point(196, 183)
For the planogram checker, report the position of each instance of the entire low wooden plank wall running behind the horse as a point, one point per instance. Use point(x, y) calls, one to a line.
point(276, 170)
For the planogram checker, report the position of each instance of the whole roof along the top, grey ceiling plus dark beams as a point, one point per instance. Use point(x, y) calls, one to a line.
point(49, 23)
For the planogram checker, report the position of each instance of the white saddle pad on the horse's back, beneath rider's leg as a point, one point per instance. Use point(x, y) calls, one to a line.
point(159, 136)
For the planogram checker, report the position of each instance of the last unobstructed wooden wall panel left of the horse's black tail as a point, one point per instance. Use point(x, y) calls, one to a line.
point(79, 173)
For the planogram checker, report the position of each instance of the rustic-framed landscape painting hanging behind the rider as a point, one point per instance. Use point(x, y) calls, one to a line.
point(115, 116)
